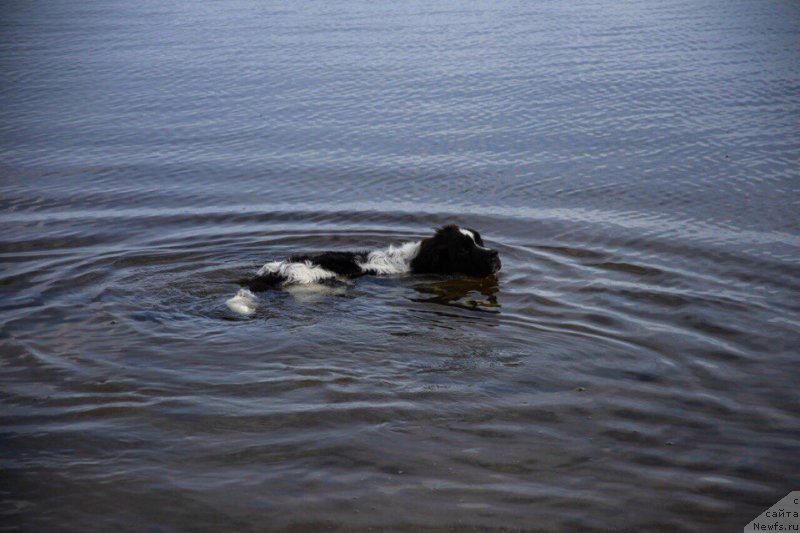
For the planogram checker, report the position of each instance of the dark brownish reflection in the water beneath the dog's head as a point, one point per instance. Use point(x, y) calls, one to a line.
point(466, 293)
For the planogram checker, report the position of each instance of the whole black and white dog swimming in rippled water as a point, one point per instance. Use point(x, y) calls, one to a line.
point(451, 250)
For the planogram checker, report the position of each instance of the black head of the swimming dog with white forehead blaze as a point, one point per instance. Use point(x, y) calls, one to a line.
point(455, 250)
